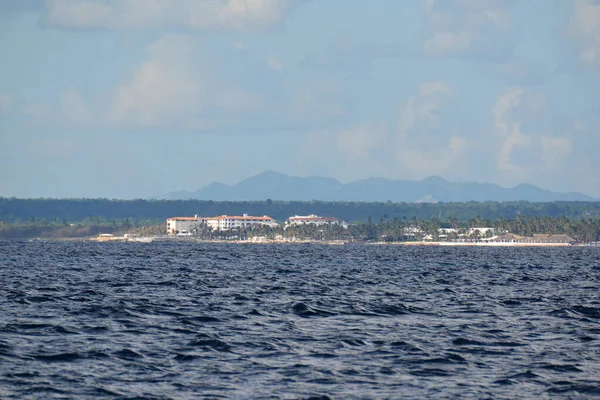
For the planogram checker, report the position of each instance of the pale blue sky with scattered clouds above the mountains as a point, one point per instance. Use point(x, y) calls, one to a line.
point(138, 98)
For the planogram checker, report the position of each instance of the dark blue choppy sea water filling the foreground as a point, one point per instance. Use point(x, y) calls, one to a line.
point(182, 321)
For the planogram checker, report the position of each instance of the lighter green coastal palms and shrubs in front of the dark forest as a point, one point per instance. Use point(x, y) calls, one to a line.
point(583, 230)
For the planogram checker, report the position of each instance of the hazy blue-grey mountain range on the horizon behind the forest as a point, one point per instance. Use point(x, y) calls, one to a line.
point(276, 186)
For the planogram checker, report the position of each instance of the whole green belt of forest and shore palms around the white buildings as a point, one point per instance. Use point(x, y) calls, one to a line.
point(29, 218)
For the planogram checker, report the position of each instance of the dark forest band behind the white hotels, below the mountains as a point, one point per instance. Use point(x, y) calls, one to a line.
point(147, 212)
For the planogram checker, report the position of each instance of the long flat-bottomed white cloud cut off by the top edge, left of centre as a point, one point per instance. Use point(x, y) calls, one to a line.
point(192, 14)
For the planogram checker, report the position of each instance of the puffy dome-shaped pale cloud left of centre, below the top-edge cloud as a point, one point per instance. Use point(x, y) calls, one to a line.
point(174, 87)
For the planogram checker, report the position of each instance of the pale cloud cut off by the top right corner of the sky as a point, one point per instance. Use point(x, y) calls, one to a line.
point(585, 23)
